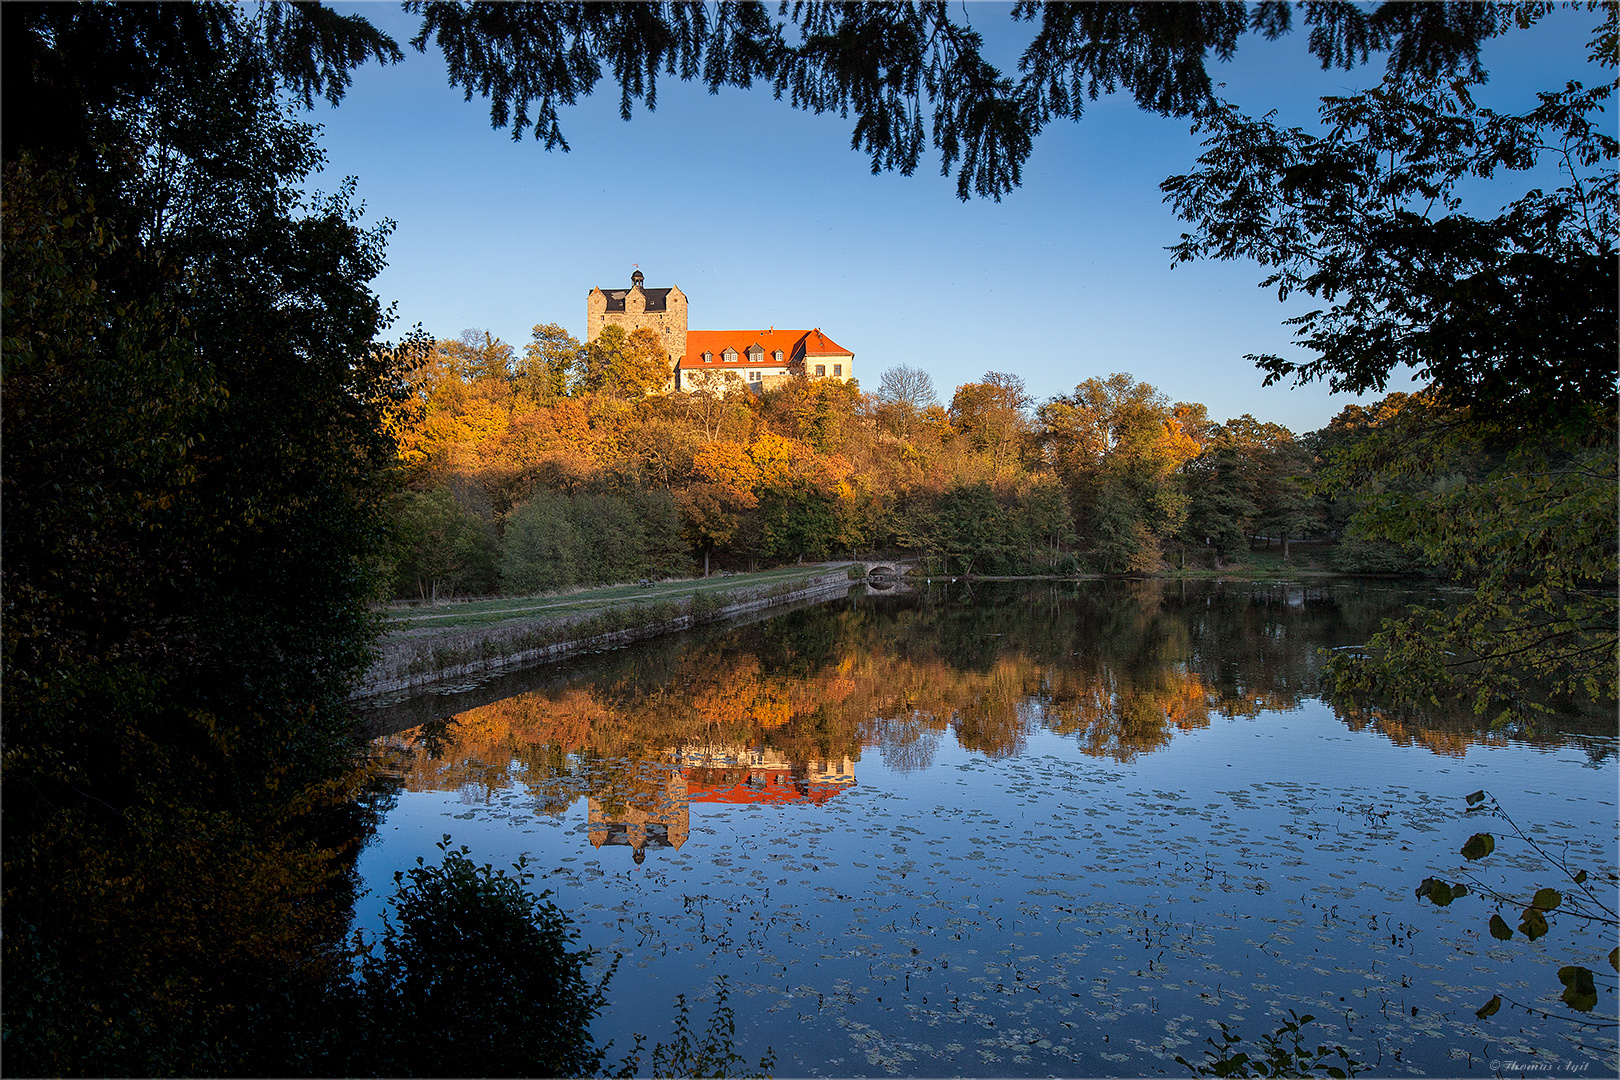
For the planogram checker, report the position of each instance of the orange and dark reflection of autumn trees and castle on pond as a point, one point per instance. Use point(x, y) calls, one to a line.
point(785, 710)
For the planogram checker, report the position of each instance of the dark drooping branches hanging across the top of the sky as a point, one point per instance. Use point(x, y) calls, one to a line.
point(895, 64)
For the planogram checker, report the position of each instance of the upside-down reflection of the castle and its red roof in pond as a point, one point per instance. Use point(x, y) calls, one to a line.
point(712, 775)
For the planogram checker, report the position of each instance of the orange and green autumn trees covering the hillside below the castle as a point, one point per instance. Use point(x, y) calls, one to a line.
point(555, 467)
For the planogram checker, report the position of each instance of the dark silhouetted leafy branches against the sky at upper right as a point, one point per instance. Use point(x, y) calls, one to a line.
point(1511, 318)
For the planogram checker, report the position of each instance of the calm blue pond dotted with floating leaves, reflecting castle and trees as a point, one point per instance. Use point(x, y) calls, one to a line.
point(1023, 830)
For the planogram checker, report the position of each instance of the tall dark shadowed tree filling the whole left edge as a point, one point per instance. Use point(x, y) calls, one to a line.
point(194, 448)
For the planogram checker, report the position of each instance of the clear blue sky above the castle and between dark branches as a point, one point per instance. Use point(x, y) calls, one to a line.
point(764, 216)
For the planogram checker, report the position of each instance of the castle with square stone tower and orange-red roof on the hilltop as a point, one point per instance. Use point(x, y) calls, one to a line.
point(717, 360)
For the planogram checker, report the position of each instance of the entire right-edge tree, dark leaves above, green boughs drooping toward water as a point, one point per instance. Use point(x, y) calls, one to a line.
point(1511, 321)
